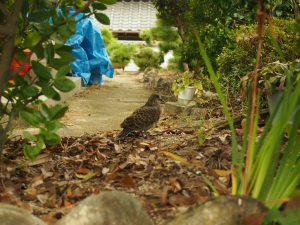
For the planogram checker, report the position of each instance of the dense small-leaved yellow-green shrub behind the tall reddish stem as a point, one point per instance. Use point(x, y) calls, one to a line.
point(235, 64)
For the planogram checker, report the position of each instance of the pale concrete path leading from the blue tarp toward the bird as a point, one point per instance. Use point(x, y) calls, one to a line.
point(101, 108)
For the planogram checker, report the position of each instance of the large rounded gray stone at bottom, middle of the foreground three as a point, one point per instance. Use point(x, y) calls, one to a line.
point(107, 208)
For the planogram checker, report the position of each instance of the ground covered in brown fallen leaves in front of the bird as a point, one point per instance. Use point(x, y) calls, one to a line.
point(163, 171)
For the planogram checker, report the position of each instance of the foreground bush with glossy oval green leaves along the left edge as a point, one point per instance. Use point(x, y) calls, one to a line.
point(43, 30)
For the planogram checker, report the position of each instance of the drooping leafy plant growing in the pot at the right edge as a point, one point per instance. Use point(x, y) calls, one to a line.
point(271, 80)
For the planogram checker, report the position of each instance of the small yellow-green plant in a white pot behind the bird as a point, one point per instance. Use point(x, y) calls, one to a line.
point(186, 86)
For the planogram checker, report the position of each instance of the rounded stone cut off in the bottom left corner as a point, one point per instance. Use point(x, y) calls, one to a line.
point(12, 215)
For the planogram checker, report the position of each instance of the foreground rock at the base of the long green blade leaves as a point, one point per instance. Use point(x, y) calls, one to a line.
point(219, 211)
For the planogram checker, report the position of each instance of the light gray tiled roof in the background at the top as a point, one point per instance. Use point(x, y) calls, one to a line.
point(130, 15)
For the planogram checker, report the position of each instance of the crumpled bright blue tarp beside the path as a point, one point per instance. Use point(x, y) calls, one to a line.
point(92, 60)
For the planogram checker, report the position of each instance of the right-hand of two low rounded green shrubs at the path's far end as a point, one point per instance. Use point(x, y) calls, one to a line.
point(148, 58)
